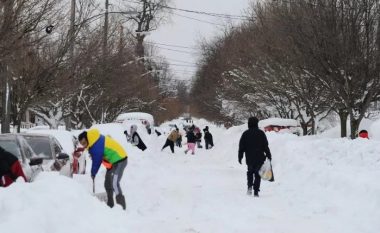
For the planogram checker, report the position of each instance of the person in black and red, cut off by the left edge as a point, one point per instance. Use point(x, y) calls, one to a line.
point(10, 168)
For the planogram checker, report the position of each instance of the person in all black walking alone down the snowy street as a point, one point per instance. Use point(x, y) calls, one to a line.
point(254, 144)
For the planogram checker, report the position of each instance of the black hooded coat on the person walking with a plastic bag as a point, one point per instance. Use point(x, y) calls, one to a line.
point(254, 144)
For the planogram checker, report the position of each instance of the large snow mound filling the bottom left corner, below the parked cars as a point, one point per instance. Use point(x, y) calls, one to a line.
point(55, 203)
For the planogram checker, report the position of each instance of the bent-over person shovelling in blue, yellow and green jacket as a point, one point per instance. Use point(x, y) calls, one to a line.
point(105, 150)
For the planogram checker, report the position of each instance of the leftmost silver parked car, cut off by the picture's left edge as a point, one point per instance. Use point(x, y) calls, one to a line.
point(18, 146)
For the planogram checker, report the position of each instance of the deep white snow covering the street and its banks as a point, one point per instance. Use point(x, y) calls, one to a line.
point(322, 185)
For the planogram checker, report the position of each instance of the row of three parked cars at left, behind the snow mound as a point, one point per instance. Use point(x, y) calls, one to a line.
point(42, 151)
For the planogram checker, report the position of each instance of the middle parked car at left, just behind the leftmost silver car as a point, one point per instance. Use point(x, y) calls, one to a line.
point(47, 147)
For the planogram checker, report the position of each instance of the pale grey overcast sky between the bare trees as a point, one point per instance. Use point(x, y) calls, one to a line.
point(186, 32)
